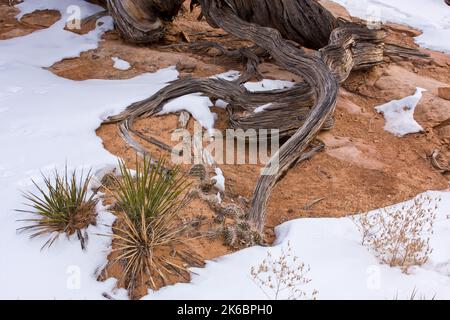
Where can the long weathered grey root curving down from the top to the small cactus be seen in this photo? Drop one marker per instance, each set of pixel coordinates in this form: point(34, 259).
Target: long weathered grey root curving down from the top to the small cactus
point(320, 73)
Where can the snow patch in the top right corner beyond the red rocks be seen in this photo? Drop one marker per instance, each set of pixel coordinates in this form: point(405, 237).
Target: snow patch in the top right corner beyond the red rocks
point(432, 17)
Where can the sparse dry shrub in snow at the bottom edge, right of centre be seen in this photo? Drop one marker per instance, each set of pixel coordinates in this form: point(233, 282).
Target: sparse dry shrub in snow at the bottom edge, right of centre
point(282, 276)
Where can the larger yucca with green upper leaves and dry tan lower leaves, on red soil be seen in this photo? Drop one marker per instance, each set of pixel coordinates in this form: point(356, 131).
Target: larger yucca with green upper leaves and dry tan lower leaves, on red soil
point(149, 200)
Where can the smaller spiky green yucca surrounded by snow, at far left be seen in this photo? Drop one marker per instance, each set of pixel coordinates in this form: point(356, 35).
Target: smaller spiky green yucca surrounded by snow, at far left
point(62, 206)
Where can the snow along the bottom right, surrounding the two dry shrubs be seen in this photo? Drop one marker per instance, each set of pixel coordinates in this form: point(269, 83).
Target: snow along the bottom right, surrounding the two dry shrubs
point(341, 268)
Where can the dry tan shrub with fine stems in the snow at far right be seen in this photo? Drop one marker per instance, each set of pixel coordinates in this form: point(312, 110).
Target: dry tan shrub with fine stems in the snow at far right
point(400, 237)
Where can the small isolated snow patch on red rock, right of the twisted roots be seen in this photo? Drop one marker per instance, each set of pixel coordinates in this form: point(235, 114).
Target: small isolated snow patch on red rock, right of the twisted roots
point(399, 114)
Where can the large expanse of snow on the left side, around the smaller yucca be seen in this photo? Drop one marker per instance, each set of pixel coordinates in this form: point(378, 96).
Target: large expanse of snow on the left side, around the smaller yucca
point(45, 122)
